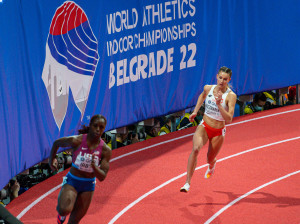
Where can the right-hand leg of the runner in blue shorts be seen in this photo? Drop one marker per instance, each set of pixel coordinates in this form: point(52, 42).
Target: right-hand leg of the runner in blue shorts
point(81, 206)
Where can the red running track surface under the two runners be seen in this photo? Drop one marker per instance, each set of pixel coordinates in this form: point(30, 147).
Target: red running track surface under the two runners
point(135, 175)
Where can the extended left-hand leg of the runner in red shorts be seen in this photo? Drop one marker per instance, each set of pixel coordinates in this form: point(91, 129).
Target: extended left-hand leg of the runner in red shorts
point(199, 140)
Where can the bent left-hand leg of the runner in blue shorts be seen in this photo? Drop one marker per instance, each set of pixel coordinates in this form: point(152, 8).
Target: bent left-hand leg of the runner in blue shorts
point(66, 200)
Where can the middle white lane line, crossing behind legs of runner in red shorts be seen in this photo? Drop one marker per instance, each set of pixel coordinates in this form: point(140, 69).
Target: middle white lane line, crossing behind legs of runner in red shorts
point(181, 175)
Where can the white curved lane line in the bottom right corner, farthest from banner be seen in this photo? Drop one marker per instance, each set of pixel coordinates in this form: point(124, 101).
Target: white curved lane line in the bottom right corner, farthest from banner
point(247, 194)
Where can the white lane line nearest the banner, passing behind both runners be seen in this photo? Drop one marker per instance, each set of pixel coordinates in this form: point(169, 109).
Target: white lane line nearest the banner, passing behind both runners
point(142, 149)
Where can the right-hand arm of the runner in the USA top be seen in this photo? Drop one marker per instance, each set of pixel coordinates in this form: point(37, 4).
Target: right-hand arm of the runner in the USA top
point(101, 172)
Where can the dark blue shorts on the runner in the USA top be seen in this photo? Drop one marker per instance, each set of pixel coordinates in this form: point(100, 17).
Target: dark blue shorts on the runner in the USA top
point(79, 183)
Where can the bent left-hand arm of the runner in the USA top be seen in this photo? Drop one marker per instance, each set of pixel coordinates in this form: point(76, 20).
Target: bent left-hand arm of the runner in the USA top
point(71, 141)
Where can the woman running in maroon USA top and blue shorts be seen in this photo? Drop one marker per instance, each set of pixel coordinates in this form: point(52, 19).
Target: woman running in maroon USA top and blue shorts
point(90, 160)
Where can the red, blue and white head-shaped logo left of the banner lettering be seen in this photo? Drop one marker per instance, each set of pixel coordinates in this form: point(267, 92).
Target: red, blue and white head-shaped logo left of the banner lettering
point(71, 60)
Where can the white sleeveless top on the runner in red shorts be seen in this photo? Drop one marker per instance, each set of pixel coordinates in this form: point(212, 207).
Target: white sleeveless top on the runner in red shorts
point(211, 108)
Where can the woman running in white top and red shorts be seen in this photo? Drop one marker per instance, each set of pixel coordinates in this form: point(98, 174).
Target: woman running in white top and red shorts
point(219, 109)
